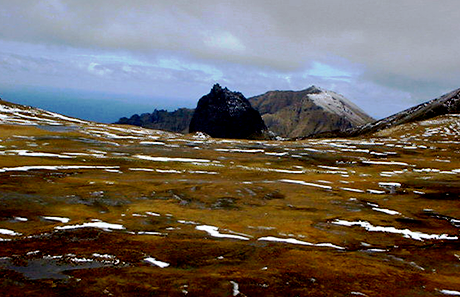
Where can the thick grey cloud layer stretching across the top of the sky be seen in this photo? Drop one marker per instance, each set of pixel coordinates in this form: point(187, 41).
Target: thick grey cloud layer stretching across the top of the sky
point(405, 35)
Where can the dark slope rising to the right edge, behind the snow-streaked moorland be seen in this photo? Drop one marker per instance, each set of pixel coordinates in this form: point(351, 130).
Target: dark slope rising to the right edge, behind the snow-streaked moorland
point(446, 104)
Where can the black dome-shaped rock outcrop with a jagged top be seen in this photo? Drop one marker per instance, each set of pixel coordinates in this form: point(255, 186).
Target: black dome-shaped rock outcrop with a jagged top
point(226, 114)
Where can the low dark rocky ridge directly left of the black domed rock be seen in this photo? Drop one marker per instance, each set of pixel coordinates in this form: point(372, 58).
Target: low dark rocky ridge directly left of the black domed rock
point(176, 121)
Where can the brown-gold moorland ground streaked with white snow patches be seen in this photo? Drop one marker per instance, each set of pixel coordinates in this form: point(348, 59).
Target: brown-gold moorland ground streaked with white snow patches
point(92, 209)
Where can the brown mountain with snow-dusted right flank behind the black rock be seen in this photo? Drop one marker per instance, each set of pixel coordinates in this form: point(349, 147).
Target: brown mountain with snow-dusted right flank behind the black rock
point(311, 111)
